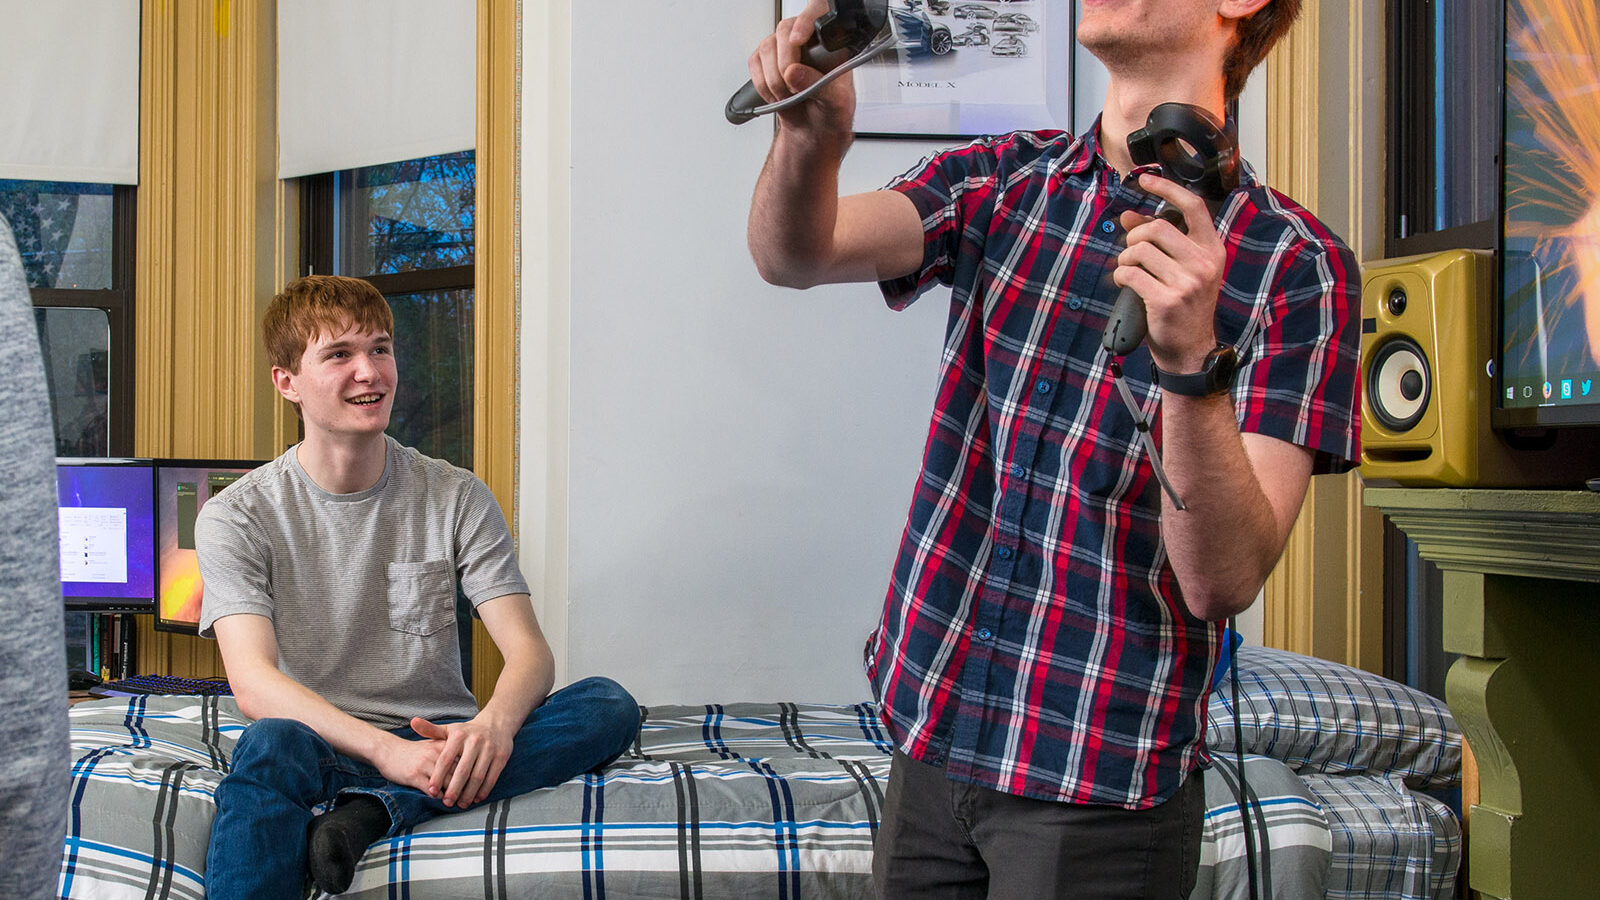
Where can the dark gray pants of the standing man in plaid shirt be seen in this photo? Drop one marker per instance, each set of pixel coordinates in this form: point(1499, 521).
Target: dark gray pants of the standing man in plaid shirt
point(950, 840)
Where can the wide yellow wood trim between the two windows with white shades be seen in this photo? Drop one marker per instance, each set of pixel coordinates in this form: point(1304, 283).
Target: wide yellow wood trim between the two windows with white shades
point(209, 251)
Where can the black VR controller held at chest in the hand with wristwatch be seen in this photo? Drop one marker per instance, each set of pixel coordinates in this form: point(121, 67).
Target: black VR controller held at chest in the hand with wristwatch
point(1196, 151)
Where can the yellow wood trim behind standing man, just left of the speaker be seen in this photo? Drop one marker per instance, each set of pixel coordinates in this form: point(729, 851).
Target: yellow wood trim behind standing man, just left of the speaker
point(1326, 139)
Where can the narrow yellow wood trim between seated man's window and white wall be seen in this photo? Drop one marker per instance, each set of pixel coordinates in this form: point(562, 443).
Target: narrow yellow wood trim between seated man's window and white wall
point(495, 286)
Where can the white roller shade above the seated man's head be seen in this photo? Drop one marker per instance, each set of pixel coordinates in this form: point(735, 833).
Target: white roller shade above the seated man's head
point(364, 82)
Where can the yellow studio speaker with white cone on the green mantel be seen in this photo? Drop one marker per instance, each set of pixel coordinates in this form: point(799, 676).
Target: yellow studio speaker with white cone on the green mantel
point(1428, 337)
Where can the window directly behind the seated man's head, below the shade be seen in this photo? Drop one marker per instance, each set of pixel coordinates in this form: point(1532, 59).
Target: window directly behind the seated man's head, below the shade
point(409, 230)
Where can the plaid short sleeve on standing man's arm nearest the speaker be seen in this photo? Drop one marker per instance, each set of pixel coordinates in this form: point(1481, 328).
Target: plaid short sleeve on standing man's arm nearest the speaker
point(1300, 377)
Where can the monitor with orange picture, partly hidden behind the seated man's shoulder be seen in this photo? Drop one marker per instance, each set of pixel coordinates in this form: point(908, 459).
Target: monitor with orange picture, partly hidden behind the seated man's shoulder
point(183, 488)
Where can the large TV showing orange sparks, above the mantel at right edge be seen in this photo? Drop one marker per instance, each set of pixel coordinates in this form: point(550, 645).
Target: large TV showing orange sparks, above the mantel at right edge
point(1550, 236)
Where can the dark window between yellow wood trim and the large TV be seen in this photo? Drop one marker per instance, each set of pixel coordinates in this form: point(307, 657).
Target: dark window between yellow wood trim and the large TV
point(1444, 124)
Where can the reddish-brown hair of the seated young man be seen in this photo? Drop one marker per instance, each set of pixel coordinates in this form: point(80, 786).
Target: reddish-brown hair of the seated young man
point(321, 305)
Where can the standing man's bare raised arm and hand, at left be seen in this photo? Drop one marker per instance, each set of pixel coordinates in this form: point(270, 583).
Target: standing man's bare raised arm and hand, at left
point(801, 231)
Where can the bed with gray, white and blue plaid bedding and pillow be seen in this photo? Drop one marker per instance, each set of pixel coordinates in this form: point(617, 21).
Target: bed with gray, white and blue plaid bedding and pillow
point(782, 800)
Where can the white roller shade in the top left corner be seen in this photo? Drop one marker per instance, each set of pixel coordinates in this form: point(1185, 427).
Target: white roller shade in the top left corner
point(70, 90)
